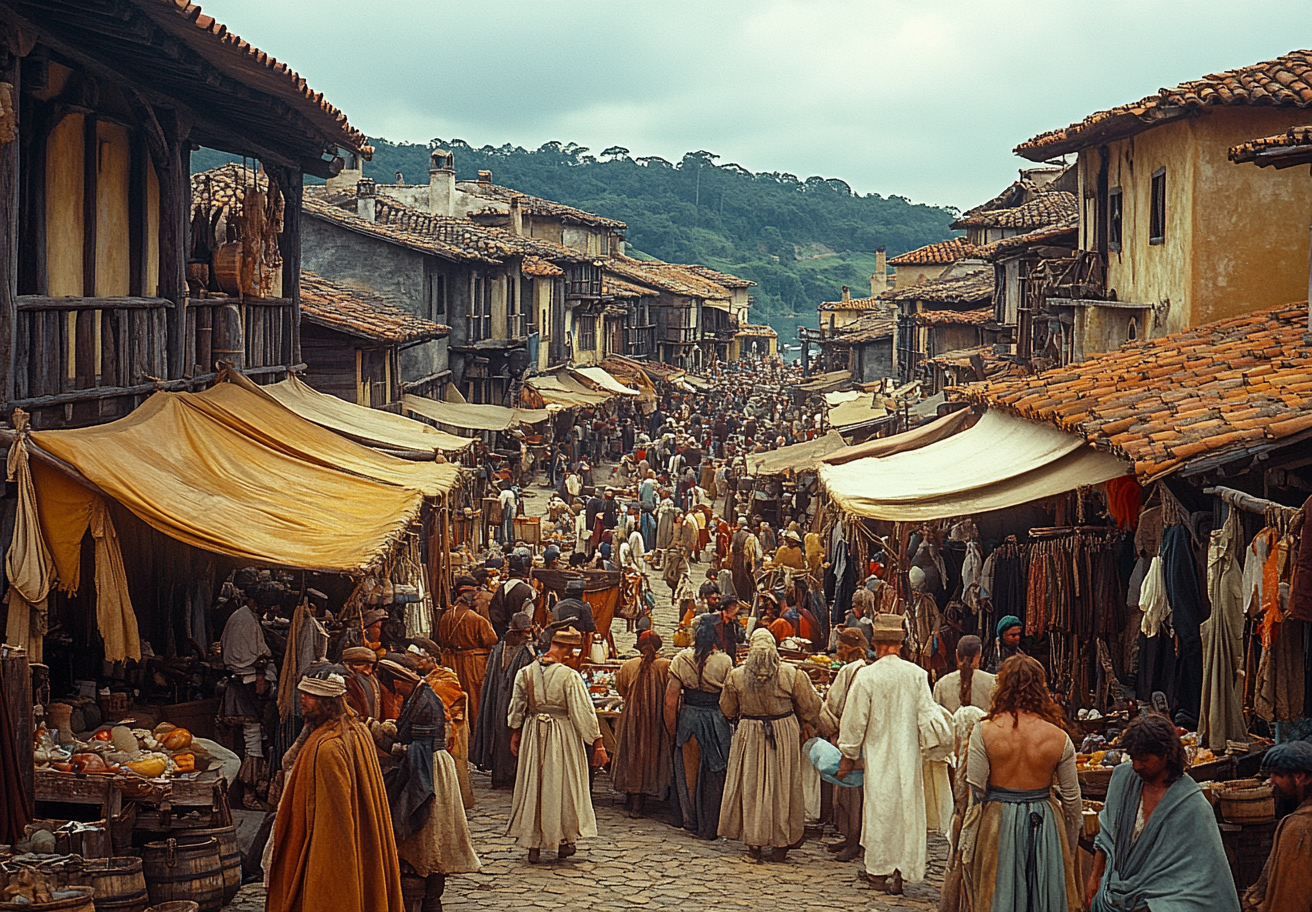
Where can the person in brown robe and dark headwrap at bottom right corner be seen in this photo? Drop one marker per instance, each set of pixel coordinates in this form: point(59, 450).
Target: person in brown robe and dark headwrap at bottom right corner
point(1286, 881)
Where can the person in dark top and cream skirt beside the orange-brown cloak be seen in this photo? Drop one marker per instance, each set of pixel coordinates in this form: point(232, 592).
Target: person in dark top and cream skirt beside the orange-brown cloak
point(424, 792)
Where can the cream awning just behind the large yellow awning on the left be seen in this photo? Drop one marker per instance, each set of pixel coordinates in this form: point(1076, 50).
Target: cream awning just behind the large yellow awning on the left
point(369, 426)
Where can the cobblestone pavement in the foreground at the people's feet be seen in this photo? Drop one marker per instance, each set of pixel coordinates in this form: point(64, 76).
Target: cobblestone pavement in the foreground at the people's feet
point(649, 865)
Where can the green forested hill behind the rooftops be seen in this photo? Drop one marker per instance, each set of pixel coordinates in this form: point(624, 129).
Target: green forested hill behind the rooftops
point(801, 241)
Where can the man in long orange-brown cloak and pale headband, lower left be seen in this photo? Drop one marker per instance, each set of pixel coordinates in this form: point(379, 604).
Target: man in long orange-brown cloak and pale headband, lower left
point(334, 810)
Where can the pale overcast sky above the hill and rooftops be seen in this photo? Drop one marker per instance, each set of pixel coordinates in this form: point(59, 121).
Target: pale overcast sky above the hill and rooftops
point(923, 99)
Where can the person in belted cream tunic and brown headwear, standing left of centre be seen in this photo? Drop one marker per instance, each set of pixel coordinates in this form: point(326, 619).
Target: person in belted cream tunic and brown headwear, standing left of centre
point(553, 732)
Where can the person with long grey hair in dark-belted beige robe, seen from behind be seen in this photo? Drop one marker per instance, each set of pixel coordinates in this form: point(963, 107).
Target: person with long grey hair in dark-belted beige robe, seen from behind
point(763, 804)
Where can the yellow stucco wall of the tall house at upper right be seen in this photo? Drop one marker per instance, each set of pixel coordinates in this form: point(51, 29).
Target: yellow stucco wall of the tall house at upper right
point(1237, 237)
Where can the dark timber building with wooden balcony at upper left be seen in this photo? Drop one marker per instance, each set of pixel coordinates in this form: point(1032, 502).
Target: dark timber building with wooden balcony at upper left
point(106, 100)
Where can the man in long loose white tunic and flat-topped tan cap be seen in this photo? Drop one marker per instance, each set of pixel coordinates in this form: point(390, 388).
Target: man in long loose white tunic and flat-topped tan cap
point(888, 708)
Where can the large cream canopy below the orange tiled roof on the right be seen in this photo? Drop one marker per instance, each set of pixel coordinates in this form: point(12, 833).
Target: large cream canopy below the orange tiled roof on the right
point(1000, 463)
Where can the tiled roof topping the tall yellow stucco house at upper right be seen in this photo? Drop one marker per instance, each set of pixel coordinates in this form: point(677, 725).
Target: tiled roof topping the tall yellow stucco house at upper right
point(1285, 82)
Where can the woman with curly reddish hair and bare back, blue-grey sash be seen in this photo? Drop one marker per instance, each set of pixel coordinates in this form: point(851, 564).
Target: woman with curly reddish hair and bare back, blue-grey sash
point(1025, 821)
